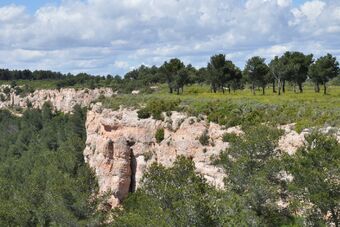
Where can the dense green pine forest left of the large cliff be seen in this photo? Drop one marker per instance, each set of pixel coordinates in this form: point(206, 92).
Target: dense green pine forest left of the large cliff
point(43, 178)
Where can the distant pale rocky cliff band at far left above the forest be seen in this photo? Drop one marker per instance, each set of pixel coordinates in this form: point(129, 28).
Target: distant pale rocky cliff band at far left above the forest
point(62, 100)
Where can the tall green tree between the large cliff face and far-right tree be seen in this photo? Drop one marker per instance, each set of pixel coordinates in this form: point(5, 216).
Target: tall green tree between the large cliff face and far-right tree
point(251, 166)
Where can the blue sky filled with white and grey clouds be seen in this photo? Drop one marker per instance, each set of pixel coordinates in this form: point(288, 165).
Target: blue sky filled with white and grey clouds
point(114, 36)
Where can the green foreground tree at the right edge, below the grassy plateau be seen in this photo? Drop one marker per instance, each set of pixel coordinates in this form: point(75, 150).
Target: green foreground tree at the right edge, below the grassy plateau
point(316, 171)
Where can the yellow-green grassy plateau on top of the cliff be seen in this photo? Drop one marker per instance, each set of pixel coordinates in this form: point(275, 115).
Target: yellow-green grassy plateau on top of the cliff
point(307, 109)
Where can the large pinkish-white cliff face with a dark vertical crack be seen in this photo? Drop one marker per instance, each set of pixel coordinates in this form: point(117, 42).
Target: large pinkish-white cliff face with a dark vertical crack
point(120, 147)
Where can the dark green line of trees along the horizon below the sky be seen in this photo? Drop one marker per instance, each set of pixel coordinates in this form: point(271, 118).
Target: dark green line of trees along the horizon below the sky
point(221, 74)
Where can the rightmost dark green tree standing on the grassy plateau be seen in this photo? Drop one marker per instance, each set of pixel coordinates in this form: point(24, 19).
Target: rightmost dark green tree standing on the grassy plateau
point(323, 70)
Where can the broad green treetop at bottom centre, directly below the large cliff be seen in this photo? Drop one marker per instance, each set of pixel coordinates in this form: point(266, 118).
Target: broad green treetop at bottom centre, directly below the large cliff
point(177, 196)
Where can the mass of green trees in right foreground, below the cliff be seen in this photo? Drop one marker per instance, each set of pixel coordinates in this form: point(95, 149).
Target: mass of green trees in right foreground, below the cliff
point(257, 180)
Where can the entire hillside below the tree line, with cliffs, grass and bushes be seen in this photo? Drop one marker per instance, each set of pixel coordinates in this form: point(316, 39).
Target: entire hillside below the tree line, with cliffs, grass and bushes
point(236, 150)
